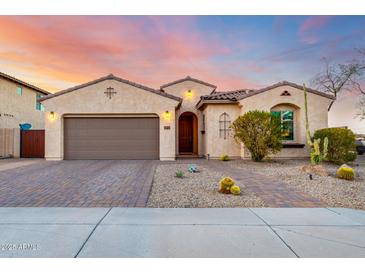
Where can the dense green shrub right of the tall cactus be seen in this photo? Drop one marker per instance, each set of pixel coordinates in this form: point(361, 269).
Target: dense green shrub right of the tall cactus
point(341, 144)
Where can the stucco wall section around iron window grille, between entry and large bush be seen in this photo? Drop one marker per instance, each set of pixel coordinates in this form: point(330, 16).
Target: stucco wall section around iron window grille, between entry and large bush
point(216, 145)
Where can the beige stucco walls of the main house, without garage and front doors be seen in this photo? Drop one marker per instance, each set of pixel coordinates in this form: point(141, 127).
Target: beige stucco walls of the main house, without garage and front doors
point(183, 96)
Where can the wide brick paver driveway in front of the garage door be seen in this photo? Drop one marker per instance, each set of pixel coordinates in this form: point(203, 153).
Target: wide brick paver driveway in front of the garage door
point(94, 183)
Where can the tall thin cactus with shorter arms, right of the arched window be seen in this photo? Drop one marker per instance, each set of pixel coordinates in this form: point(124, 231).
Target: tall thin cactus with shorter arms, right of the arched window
point(316, 155)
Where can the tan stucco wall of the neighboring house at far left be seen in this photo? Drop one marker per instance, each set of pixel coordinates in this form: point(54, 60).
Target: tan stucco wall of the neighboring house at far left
point(17, 109)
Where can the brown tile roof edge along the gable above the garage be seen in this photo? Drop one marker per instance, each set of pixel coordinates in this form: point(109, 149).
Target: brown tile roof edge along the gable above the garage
point(112, 77)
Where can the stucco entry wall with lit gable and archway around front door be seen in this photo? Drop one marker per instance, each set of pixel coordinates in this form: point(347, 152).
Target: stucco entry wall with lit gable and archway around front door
point(188, 105)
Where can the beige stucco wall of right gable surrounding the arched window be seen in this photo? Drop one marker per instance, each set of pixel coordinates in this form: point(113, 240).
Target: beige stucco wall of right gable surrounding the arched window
point(271, 100)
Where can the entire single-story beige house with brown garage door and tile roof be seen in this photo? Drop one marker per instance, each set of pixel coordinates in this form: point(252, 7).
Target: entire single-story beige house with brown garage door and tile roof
point(113, 118)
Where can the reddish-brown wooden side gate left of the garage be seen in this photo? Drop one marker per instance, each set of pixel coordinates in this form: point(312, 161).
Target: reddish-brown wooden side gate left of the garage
point(32, 143)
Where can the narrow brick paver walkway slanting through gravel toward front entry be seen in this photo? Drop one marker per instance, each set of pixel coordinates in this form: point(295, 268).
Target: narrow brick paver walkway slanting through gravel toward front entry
point(273, 192)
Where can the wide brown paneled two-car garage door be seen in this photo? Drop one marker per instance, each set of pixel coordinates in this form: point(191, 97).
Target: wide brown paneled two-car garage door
point(111, 138)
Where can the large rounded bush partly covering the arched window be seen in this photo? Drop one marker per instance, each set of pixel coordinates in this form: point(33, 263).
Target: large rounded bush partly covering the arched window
point(260, 132)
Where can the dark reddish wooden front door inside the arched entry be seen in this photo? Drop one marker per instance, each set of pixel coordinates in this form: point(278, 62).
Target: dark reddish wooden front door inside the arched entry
point(186, 134)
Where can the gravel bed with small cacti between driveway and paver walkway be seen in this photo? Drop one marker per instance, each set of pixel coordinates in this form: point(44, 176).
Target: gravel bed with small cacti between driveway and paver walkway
point(195, 189)
